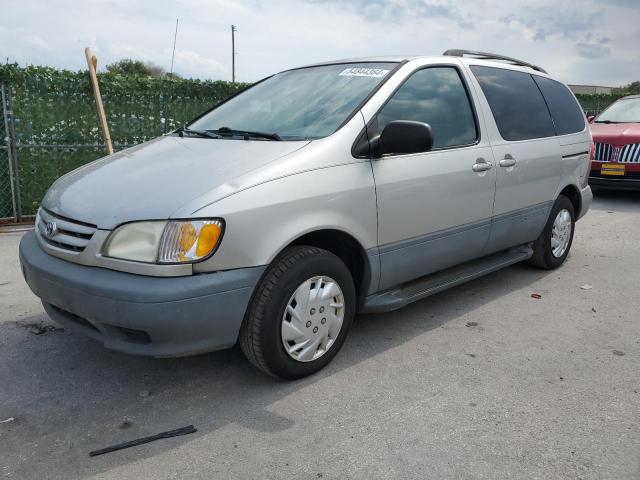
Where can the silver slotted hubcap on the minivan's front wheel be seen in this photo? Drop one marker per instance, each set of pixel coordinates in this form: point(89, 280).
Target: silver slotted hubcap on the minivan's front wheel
point(312, 319)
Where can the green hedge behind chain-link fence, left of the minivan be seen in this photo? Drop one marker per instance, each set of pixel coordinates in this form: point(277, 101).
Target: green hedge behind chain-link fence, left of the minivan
point(56, 107)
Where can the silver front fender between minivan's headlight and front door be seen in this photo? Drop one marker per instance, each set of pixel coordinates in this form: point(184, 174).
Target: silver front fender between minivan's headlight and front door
point(262, 220)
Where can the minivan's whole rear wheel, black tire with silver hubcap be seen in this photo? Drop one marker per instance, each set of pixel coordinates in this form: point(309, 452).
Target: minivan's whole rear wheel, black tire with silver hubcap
point(544, 255)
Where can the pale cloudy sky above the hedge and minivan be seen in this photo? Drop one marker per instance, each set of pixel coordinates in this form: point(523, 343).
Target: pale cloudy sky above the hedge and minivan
point(594, 42)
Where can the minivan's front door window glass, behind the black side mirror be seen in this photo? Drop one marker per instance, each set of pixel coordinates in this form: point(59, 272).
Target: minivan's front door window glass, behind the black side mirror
point(438, 97)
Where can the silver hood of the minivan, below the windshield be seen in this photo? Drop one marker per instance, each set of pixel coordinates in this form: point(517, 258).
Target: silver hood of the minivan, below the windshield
point(154, 179)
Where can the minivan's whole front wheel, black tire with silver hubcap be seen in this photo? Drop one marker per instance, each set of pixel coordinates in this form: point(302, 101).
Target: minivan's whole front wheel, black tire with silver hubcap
point(270, 322)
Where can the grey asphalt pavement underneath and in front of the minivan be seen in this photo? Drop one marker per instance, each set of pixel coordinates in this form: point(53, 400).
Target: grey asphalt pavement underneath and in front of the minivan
point(482, 381)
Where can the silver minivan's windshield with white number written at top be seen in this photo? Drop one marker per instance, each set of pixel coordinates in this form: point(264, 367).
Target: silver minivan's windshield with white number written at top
point(306, 103)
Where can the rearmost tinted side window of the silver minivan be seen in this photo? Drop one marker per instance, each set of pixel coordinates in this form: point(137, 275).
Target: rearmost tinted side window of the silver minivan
point(567, 115)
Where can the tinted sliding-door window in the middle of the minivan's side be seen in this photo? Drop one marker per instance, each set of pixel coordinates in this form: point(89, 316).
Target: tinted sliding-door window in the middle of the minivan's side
point(516, 102)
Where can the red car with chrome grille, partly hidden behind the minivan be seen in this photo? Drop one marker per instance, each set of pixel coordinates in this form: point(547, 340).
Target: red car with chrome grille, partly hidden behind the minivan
point(616, 150)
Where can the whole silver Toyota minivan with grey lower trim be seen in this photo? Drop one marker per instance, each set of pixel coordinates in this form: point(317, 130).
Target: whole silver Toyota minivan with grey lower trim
point(345, 187)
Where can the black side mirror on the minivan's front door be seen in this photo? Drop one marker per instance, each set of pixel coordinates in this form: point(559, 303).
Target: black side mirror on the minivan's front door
point(404, 136)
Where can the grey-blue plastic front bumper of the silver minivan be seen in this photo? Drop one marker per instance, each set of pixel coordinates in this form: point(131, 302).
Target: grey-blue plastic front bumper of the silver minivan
point(155, 316)
